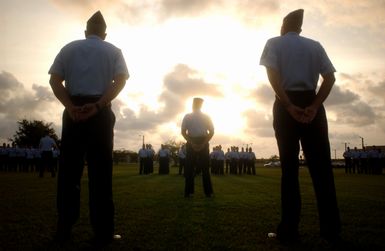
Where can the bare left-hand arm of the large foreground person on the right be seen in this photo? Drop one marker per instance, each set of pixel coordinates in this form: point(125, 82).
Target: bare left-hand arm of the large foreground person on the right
point(274, 79)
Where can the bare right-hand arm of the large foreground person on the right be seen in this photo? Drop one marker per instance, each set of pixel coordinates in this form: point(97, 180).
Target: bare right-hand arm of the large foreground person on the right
point(323, 93)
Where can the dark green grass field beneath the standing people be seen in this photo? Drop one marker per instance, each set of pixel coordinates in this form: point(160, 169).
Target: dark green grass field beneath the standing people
point(152, 214)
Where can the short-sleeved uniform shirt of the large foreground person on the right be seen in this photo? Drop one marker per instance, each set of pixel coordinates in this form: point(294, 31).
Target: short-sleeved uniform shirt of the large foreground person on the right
point(298, 60)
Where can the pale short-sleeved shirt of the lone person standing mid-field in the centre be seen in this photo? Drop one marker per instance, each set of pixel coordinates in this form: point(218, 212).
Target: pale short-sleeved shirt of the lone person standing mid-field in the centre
point(197, 124)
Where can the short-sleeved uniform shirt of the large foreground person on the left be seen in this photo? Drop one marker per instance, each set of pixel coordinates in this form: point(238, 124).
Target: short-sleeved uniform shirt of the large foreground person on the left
point(89, 66)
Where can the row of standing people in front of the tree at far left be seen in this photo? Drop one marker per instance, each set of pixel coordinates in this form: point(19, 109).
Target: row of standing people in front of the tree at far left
point(30, 159)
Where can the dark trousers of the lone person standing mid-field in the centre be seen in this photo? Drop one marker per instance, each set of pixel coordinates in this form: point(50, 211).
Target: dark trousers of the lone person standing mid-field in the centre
point(197, 159)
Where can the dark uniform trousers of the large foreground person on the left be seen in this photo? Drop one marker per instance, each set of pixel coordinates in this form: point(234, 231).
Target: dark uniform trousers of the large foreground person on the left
point(90, 141)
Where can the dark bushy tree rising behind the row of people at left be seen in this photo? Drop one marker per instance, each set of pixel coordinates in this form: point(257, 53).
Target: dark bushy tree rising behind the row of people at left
point(29, 133)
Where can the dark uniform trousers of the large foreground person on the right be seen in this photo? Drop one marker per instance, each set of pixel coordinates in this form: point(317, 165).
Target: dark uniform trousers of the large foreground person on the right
point(315, 144)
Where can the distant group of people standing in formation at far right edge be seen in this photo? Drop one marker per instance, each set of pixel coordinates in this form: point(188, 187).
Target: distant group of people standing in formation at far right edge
point(366, 161)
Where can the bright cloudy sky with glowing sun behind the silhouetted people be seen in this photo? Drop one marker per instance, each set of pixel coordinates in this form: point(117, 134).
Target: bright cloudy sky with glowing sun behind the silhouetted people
point(178, 49)
